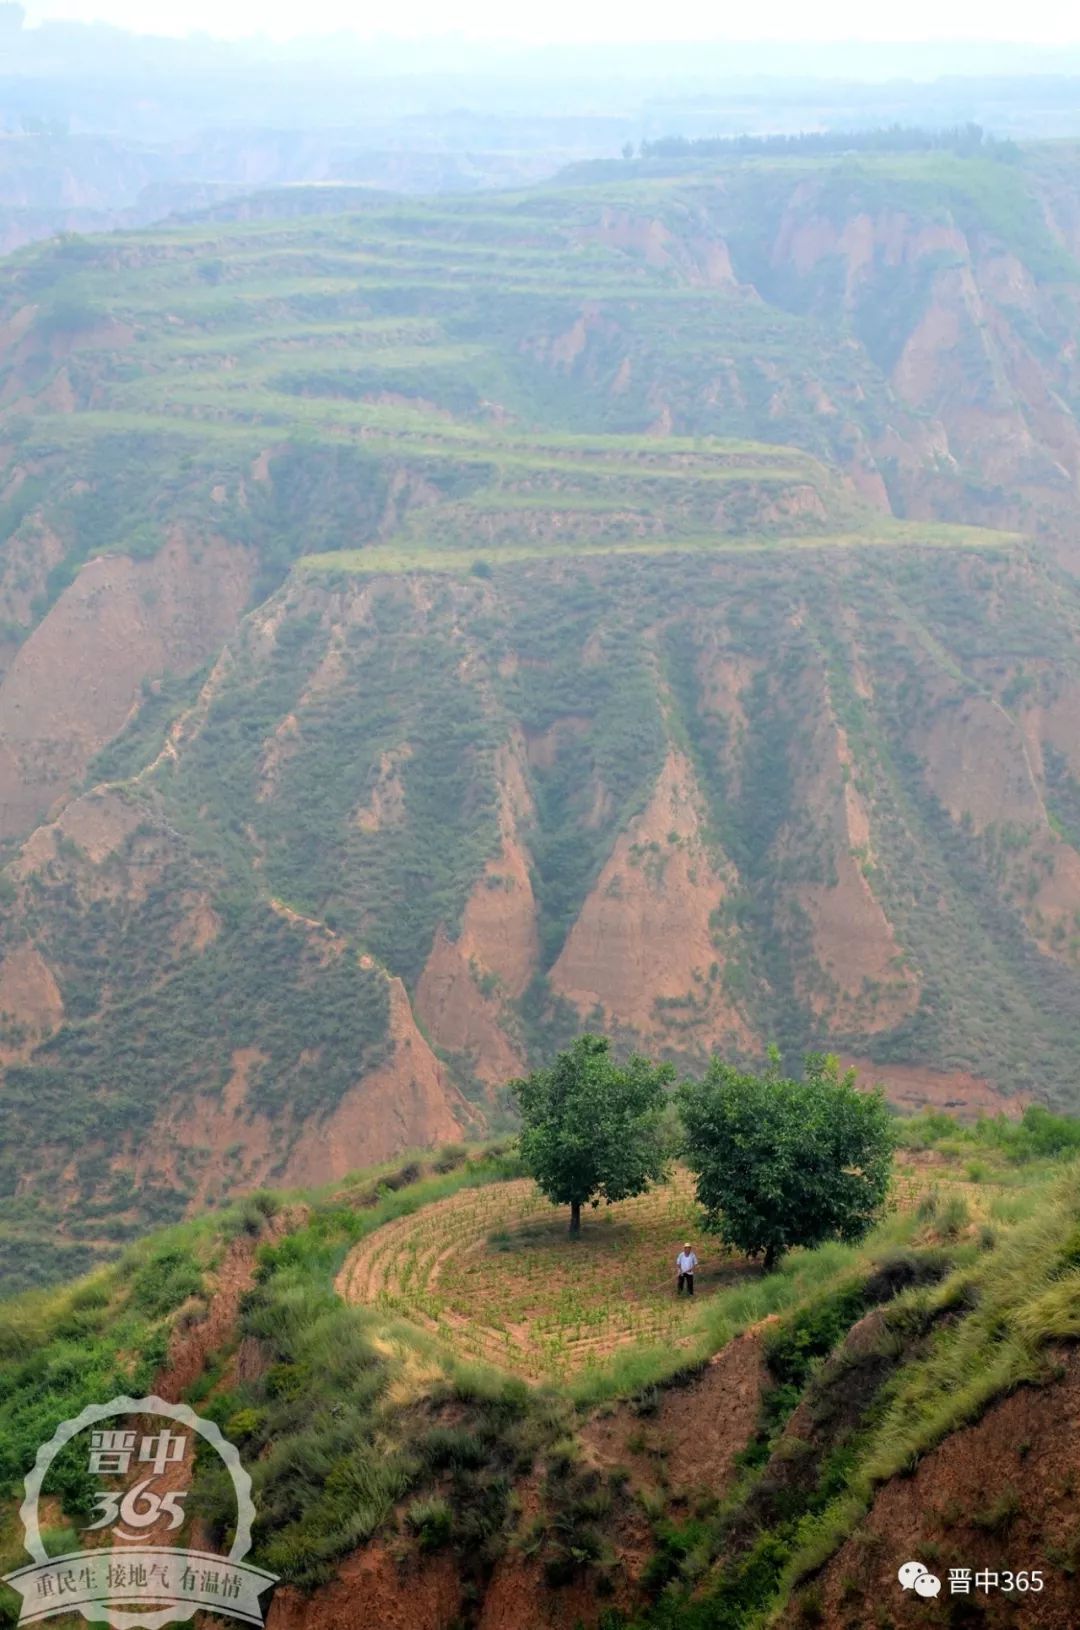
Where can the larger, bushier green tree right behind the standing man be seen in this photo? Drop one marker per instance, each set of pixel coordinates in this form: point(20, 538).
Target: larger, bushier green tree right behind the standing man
point(788, 1163)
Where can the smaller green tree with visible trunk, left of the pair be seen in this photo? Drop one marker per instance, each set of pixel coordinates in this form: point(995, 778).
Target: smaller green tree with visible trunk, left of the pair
point(594, 1129)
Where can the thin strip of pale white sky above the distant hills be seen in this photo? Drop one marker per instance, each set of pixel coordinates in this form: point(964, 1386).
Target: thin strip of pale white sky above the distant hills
point(577, 20)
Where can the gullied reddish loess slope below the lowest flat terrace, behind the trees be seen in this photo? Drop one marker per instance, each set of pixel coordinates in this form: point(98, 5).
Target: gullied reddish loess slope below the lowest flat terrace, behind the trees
point(418, 830)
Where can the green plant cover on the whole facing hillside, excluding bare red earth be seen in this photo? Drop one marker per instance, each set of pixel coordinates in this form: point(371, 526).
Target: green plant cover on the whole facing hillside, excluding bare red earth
point(516, 474)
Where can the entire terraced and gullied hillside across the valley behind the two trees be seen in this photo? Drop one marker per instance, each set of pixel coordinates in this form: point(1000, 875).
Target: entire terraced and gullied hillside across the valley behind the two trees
point(431, 628)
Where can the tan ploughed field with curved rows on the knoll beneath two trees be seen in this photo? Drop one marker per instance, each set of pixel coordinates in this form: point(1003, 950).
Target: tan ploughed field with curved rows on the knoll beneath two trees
point(493, 1272)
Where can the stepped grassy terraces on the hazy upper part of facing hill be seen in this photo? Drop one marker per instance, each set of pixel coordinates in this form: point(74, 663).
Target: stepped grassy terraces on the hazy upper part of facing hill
point(509, 368)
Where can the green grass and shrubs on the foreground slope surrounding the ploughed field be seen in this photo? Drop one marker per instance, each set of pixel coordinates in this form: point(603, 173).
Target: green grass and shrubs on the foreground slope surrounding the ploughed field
point(359, 1424)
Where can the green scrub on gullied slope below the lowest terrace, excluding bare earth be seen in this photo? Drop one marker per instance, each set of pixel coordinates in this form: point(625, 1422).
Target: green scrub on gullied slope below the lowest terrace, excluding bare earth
point(406, 694)
